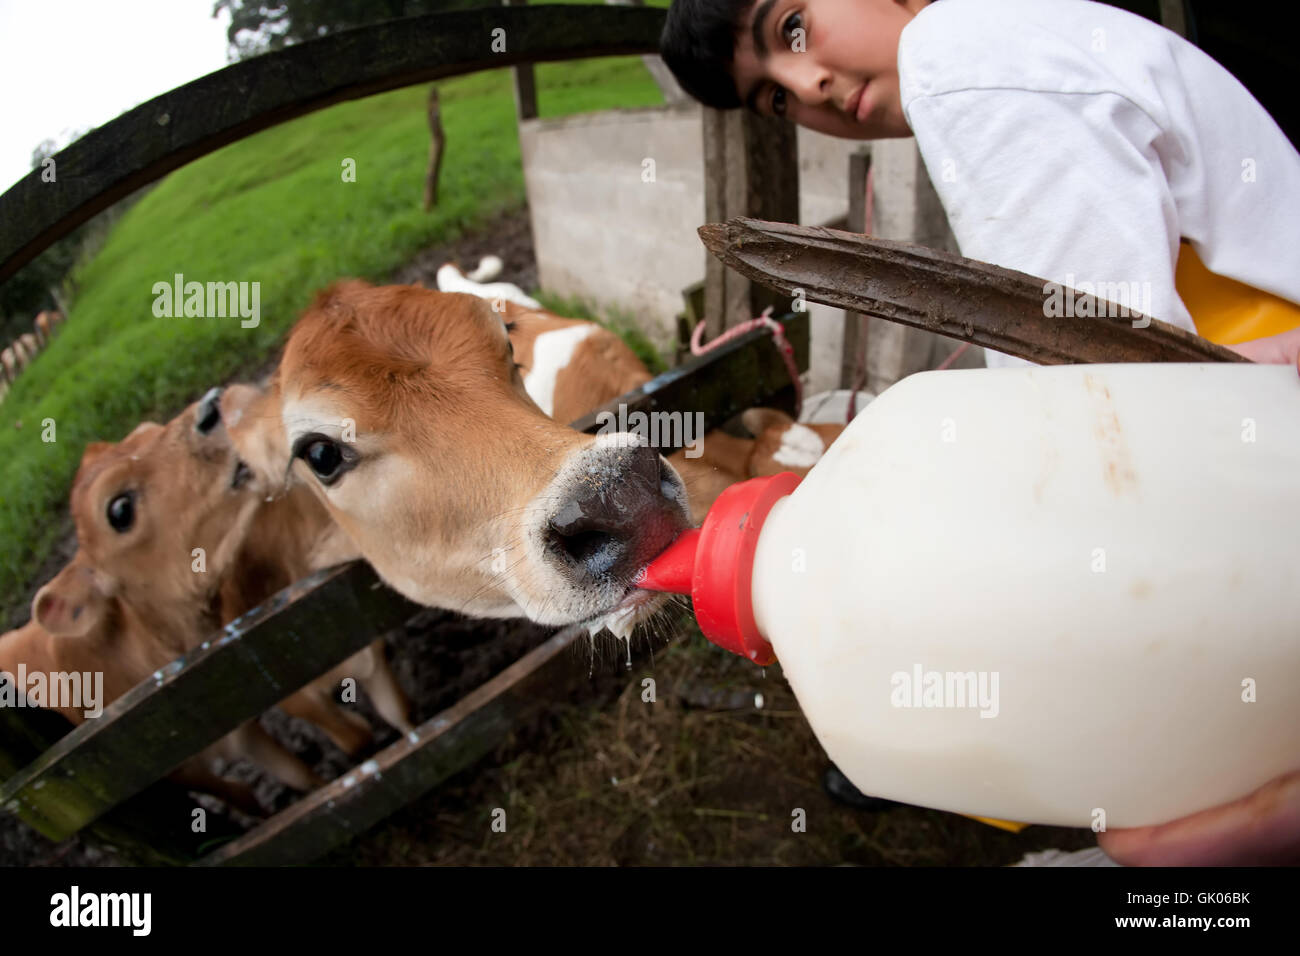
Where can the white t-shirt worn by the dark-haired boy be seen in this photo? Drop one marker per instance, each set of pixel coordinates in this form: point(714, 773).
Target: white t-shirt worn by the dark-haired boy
point(1080, 142)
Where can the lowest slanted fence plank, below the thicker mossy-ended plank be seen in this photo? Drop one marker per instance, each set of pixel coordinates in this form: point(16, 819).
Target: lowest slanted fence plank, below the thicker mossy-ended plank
point(457, 738)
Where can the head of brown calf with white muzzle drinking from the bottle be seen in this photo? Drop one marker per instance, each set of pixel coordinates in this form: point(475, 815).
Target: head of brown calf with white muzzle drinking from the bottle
point(404, 410)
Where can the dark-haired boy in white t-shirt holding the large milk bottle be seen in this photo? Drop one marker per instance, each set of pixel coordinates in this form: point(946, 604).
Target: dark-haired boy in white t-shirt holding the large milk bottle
point(1071, 141)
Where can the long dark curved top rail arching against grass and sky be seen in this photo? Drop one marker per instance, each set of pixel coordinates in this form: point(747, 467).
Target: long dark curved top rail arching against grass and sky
point(193, 120)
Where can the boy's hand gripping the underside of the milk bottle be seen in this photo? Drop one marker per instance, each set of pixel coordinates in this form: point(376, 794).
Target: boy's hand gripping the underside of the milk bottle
point(1262, 829)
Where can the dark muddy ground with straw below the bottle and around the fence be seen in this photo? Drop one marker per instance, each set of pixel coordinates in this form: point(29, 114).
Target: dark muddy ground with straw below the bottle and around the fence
point(713, 772)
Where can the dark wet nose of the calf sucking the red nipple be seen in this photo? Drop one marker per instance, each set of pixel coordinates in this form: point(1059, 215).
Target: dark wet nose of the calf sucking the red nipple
point(623, 513)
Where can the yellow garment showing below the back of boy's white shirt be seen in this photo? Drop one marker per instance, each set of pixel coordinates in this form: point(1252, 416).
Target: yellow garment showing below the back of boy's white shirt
point(1227, 312)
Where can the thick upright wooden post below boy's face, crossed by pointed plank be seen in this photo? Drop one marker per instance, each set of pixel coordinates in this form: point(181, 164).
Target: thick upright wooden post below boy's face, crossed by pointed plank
point(751, 170)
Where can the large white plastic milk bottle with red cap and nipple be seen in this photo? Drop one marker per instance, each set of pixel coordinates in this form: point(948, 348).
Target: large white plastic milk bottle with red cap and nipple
point(1065, 596)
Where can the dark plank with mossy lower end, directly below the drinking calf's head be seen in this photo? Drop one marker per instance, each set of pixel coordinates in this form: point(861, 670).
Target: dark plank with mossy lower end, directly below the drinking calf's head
point(244, 671)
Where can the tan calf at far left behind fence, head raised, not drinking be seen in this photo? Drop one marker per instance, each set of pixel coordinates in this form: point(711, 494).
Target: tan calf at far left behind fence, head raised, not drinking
point(132, 600)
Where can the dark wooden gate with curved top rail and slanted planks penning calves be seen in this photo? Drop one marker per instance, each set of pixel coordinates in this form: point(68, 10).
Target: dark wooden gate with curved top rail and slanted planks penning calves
point(106, 776)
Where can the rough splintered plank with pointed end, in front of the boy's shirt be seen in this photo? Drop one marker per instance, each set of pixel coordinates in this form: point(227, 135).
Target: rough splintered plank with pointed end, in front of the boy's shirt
point(950, 295)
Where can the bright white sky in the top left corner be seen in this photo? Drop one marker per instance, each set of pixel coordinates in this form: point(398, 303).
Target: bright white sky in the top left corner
point(76, 64)
